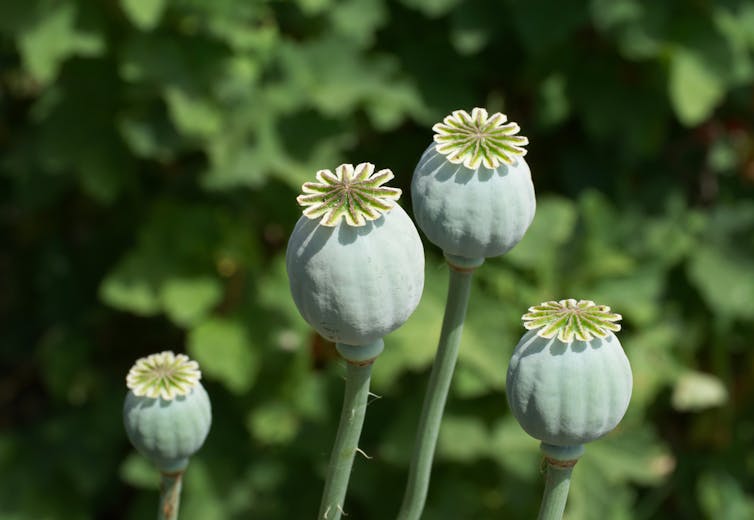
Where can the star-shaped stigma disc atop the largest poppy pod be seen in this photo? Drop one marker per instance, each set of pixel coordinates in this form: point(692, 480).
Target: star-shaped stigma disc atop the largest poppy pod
point(354, 193)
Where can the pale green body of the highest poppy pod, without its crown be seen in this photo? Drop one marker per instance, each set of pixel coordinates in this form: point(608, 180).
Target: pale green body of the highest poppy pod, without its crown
point(478, 213)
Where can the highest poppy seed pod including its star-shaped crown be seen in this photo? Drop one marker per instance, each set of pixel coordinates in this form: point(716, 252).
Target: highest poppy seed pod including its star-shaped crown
point(471, 191)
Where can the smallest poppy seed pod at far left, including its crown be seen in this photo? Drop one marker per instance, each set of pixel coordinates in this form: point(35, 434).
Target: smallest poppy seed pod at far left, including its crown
point(167, 413)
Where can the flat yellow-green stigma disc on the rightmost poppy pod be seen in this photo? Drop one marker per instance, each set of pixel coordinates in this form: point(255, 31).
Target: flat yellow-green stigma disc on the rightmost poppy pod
point(570, 319)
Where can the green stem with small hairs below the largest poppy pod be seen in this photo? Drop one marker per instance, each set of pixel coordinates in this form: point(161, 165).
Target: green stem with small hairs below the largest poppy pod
point(346, 440)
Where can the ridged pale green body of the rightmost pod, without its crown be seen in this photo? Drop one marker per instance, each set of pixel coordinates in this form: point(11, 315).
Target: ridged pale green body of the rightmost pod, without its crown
point(568, 394)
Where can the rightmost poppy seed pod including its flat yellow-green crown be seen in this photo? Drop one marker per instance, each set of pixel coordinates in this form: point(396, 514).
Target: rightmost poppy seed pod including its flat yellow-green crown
point(569, 381)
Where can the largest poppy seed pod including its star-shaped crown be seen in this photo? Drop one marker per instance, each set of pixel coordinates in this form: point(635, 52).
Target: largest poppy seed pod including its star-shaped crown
point(355, 260)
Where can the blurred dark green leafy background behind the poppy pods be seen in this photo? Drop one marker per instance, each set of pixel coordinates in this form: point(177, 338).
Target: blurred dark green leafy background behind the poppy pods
point(150, 155)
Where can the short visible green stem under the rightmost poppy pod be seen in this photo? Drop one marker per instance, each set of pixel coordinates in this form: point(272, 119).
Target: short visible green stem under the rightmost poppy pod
point(560, 461)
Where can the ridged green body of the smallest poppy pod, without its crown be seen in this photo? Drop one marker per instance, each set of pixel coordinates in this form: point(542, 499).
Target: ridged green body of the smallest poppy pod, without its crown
point(168, 432)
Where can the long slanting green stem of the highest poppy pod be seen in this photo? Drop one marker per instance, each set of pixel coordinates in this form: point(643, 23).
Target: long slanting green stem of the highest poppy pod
point(437, 391)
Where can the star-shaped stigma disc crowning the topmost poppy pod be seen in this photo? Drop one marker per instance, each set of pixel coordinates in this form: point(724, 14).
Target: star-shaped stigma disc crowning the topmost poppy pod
point(479, 139)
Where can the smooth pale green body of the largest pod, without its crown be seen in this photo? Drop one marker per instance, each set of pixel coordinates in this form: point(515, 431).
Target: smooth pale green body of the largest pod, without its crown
point(353, 284)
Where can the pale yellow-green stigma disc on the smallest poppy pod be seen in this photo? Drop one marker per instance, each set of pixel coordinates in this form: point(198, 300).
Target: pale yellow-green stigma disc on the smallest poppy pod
point(164, 375)
